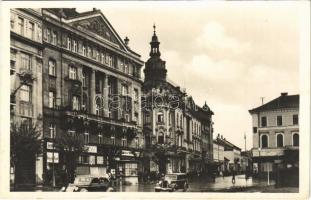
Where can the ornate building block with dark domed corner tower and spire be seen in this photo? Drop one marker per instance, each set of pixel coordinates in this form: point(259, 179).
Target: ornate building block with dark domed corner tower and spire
point(172, 121)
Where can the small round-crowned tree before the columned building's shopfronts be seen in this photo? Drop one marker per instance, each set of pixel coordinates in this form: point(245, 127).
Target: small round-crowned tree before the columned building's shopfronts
point(70, 146)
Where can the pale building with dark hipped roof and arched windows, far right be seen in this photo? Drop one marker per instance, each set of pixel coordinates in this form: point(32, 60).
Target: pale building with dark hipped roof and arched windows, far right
point(276, 134)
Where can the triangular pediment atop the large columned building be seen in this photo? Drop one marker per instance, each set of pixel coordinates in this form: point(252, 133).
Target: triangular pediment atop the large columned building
point(99, 26)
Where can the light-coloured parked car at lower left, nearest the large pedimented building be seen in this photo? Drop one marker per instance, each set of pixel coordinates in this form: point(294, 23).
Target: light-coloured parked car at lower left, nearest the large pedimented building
point(85, 183)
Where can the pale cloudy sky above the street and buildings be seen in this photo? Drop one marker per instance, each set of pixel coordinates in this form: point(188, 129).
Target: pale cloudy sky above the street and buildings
point(229, 54)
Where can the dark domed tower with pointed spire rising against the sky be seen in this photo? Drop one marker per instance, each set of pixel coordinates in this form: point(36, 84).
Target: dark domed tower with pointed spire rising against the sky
point(155, 71)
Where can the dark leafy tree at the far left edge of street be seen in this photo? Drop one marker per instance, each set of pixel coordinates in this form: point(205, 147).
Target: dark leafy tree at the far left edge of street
point(25, 143)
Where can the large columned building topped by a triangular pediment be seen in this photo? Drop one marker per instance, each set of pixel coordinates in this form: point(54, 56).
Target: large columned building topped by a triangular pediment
point(91, 88)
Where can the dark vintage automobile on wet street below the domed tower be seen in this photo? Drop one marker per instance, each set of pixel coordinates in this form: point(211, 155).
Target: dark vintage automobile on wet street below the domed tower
point(172, 182)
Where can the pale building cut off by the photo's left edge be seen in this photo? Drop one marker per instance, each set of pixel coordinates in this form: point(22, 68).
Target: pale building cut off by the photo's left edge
point(26, 81)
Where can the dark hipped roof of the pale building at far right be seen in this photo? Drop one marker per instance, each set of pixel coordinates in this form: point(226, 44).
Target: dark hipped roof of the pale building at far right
point(283, 101)
